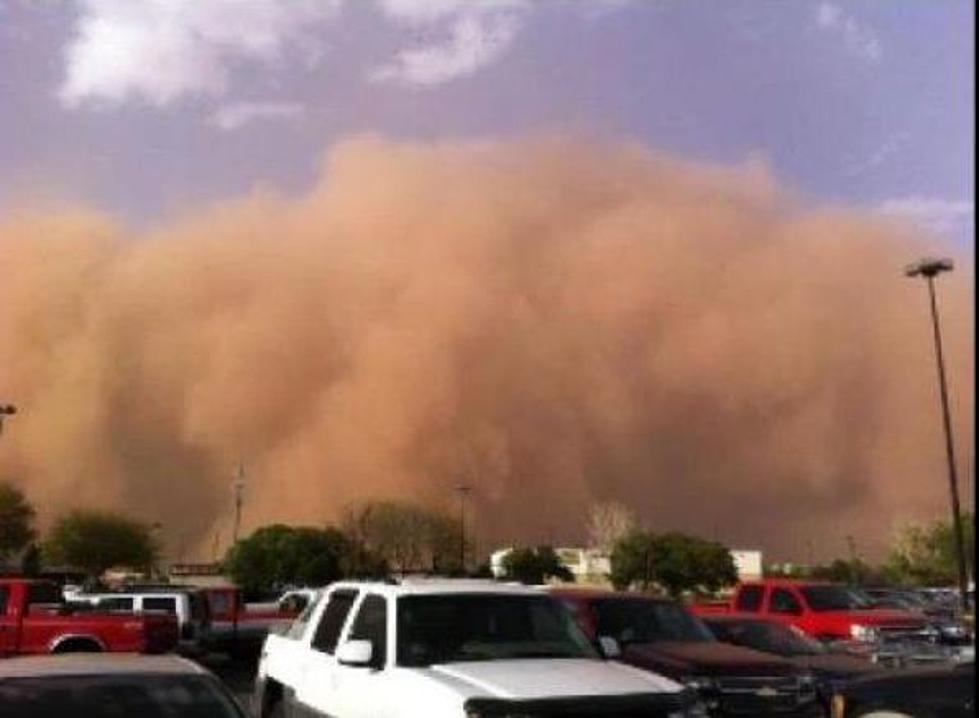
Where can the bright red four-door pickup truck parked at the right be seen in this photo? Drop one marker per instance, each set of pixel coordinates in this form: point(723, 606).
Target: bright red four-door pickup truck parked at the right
point(827, 611)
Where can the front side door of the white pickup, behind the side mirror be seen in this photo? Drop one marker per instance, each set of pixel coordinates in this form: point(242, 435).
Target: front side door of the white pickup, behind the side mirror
point(360, 689)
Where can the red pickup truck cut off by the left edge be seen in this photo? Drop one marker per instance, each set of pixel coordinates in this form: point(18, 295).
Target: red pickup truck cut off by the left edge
point(34, 619)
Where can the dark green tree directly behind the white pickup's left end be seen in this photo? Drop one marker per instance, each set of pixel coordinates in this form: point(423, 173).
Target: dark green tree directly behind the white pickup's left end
point(276, 556)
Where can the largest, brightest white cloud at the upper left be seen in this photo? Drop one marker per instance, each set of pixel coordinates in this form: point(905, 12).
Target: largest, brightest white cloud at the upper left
point(161, 50)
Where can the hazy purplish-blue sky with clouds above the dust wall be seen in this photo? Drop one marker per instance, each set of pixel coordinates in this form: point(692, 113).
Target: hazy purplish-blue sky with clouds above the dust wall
point(145, 108)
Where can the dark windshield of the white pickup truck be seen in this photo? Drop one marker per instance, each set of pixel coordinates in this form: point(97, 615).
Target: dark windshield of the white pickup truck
point(478, 627)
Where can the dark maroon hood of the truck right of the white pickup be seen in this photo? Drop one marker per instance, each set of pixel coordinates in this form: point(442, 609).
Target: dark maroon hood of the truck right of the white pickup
point(704, 658)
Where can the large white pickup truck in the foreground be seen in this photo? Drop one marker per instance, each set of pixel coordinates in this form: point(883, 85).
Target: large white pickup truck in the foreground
point(449, 648)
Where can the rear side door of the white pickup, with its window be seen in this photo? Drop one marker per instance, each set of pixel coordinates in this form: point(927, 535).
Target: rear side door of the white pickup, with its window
point(315, 687)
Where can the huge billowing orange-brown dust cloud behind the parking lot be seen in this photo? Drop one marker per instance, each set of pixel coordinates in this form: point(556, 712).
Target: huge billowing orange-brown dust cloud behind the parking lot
point(551, 322)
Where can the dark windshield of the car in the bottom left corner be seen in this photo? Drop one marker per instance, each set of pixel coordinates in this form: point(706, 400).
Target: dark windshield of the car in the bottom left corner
point(115, 697)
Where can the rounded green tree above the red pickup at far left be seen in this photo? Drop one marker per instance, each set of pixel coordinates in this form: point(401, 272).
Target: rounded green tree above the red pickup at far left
point(94, 541)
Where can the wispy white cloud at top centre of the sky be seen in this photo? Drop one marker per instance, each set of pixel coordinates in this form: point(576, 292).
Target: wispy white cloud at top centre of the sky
point(475, 34)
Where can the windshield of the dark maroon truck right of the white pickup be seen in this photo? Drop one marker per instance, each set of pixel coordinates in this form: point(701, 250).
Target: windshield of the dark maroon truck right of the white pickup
point(637, 620)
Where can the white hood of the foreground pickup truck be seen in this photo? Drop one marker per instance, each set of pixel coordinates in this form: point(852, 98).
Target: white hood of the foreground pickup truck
point(547, 678)
